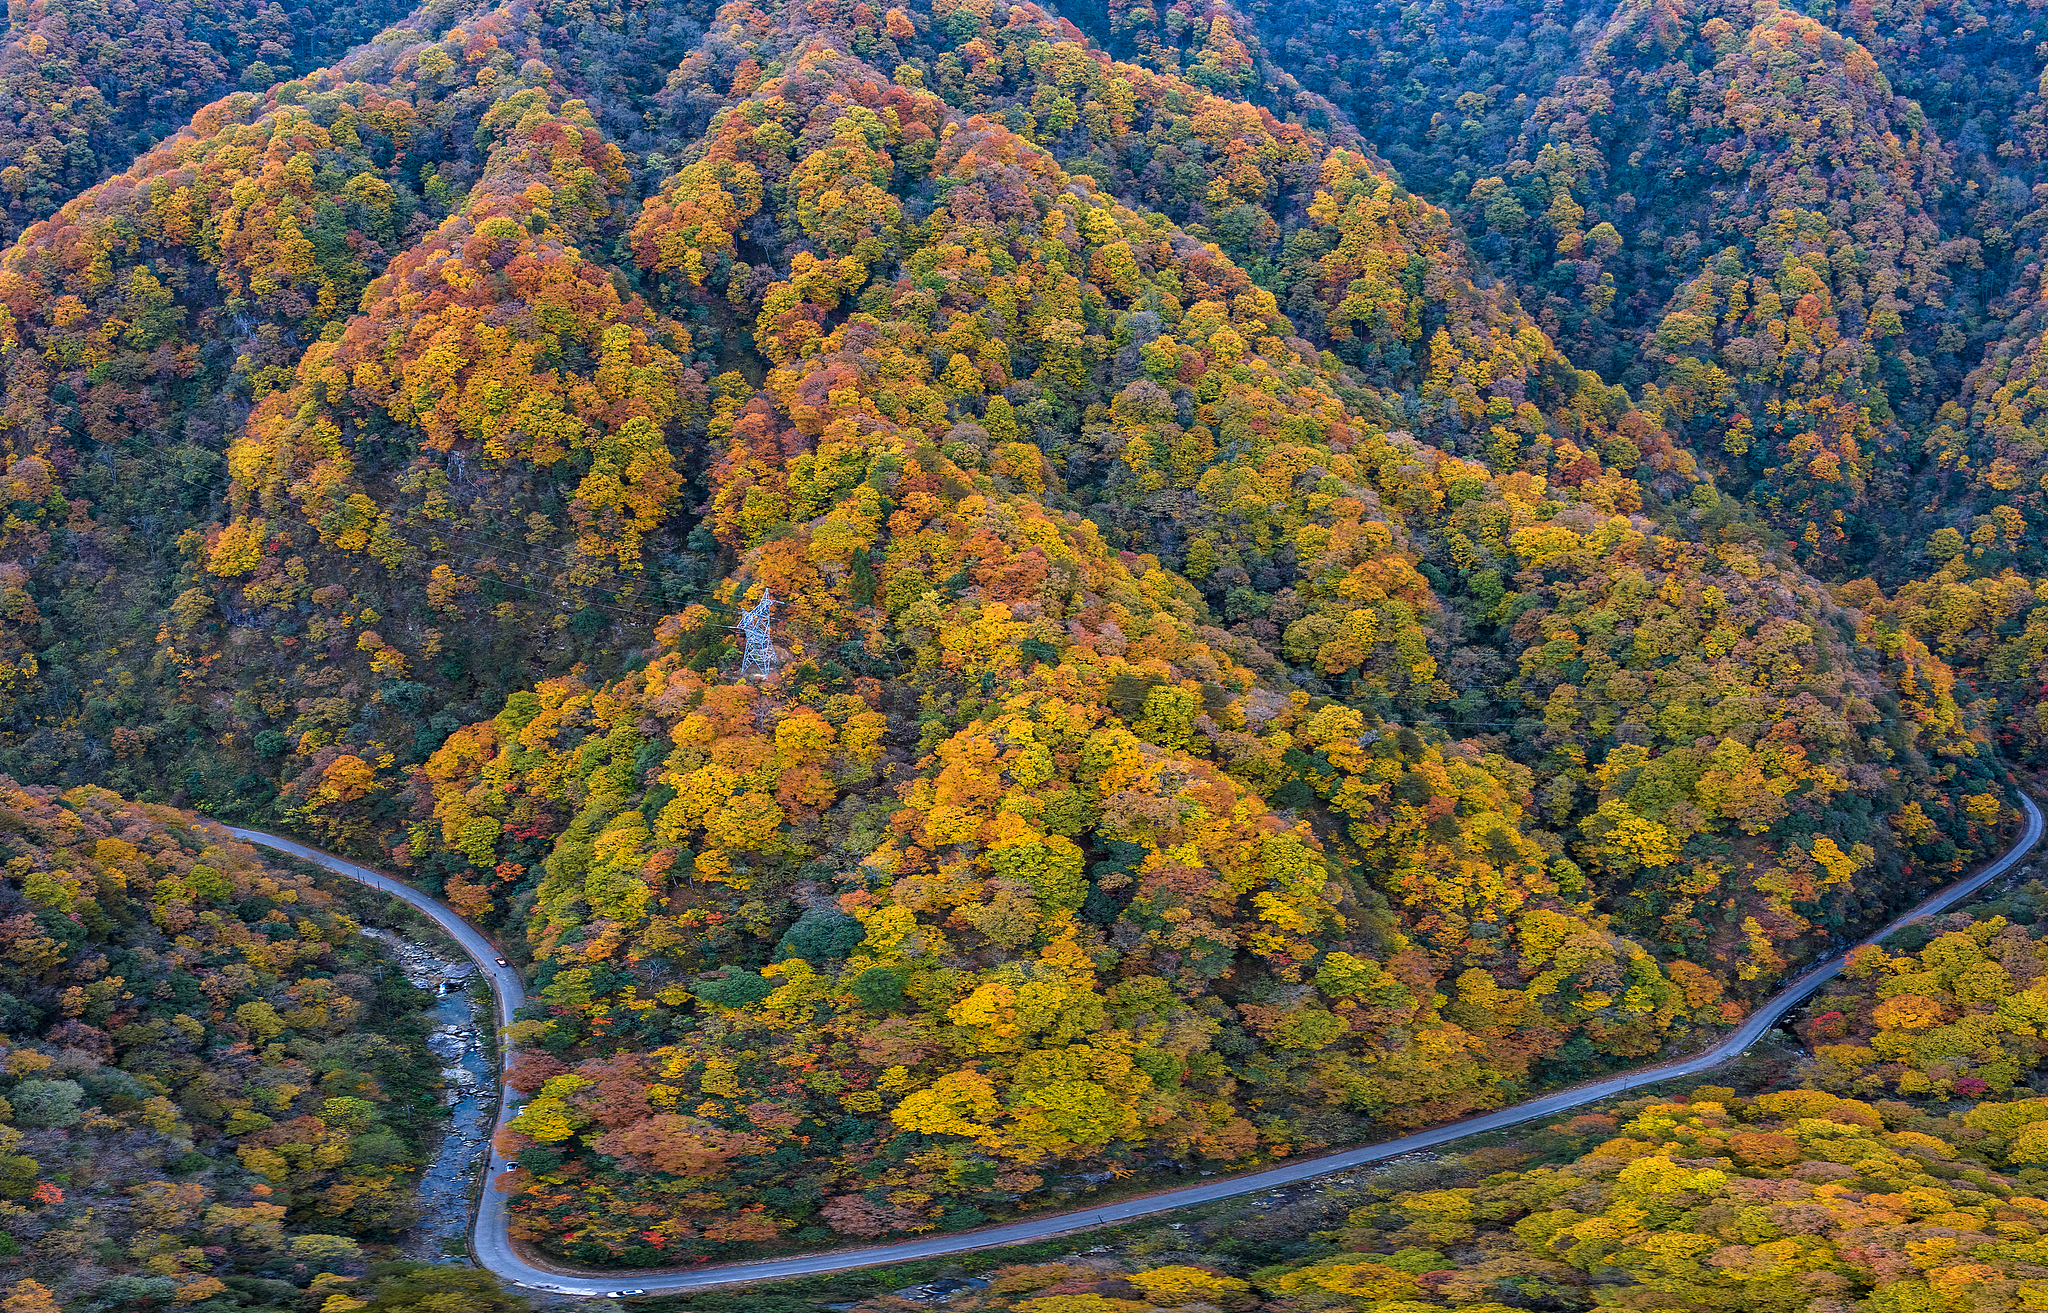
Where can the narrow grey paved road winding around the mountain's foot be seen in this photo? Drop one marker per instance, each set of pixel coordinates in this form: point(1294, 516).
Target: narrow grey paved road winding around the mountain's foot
point(495, 1246)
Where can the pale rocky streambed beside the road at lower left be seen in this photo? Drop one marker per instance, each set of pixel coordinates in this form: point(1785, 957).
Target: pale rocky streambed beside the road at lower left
point(456, 1042)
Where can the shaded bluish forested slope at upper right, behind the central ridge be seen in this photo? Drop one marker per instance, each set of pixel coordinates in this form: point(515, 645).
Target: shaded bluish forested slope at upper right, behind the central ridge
point(1658, 177)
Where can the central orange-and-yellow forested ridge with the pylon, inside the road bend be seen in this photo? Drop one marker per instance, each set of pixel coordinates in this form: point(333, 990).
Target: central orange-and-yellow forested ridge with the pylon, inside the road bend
point(1060, 851)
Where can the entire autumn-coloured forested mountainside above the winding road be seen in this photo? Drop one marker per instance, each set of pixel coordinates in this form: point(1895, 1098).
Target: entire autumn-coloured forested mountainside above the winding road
point(1332, 568)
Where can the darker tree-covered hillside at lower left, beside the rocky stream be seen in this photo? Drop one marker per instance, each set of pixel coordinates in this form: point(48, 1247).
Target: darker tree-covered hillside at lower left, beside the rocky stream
point(210, 1074)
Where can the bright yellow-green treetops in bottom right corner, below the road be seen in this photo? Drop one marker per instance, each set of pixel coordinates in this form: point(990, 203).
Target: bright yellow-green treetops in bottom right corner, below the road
point(1715, 1201)
